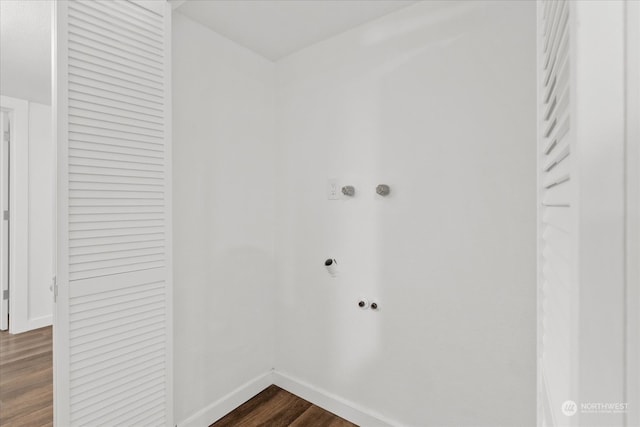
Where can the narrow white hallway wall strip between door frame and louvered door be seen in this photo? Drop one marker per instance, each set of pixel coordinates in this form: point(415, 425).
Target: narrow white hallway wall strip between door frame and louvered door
point(41, 211)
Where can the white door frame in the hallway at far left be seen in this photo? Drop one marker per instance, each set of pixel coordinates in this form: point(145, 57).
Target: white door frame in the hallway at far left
point(18, 110)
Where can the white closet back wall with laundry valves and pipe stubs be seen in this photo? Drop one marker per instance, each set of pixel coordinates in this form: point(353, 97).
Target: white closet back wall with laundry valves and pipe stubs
point(437, 101)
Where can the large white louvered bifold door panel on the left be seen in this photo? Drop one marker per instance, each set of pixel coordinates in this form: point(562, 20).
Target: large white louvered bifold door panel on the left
point(113, 310)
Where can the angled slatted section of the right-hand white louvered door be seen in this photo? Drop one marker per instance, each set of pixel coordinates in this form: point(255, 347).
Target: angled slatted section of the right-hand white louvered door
point(556, 202)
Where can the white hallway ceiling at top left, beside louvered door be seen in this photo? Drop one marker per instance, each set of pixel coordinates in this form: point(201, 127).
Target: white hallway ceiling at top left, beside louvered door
point(25, 49)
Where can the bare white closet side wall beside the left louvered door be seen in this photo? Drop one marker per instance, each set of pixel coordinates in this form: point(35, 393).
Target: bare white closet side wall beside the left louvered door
point(224, 198)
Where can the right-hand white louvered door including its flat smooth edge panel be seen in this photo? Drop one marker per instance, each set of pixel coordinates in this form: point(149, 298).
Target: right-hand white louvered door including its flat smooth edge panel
point(581, 194)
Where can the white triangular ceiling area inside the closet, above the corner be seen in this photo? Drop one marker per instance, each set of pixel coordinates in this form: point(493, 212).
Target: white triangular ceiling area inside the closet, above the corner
point(277, 28)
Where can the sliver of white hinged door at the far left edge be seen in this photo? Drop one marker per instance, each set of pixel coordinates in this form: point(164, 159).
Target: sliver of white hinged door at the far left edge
point(4, 226)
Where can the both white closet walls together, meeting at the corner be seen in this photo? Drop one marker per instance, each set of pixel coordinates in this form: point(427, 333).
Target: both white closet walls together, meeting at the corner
point(438, 101)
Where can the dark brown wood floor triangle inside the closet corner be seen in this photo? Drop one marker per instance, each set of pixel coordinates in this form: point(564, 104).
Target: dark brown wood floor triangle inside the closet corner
point(275, 407)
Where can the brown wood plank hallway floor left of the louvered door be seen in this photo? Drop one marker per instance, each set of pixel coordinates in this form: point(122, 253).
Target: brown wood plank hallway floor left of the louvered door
point(26, 379)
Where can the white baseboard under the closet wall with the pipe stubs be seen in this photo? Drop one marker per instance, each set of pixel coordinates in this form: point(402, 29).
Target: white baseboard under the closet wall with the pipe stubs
point(332, 403)
